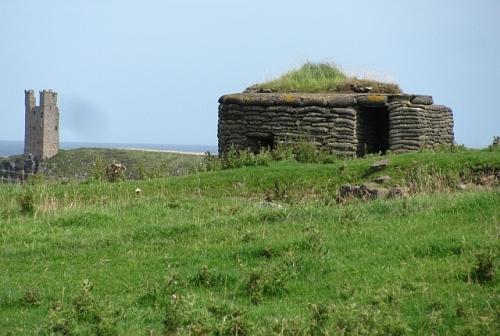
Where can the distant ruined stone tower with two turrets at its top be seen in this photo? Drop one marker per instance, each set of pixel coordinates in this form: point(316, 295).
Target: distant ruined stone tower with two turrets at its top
point(41, 137)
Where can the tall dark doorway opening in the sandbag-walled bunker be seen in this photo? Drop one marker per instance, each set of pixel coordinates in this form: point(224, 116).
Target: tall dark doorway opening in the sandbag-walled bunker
point(372, 130)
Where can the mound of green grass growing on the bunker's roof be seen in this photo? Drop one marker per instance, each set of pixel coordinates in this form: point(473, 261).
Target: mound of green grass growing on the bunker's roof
point(321, 78)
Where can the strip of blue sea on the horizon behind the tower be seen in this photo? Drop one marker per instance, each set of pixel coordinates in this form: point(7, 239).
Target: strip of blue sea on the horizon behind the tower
point(8, 148)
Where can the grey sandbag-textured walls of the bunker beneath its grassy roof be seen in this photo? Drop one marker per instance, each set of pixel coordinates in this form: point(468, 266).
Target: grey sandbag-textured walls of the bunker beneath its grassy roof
point(330, 121)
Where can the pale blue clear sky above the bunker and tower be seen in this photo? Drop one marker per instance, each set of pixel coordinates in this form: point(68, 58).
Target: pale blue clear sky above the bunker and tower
point(151, 71)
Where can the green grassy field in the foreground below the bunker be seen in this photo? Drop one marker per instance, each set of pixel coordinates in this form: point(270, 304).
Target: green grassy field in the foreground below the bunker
point(256, 251)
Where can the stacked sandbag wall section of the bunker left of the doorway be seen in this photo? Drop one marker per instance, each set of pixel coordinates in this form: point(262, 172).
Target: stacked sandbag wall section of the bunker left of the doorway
point(327, 127)
